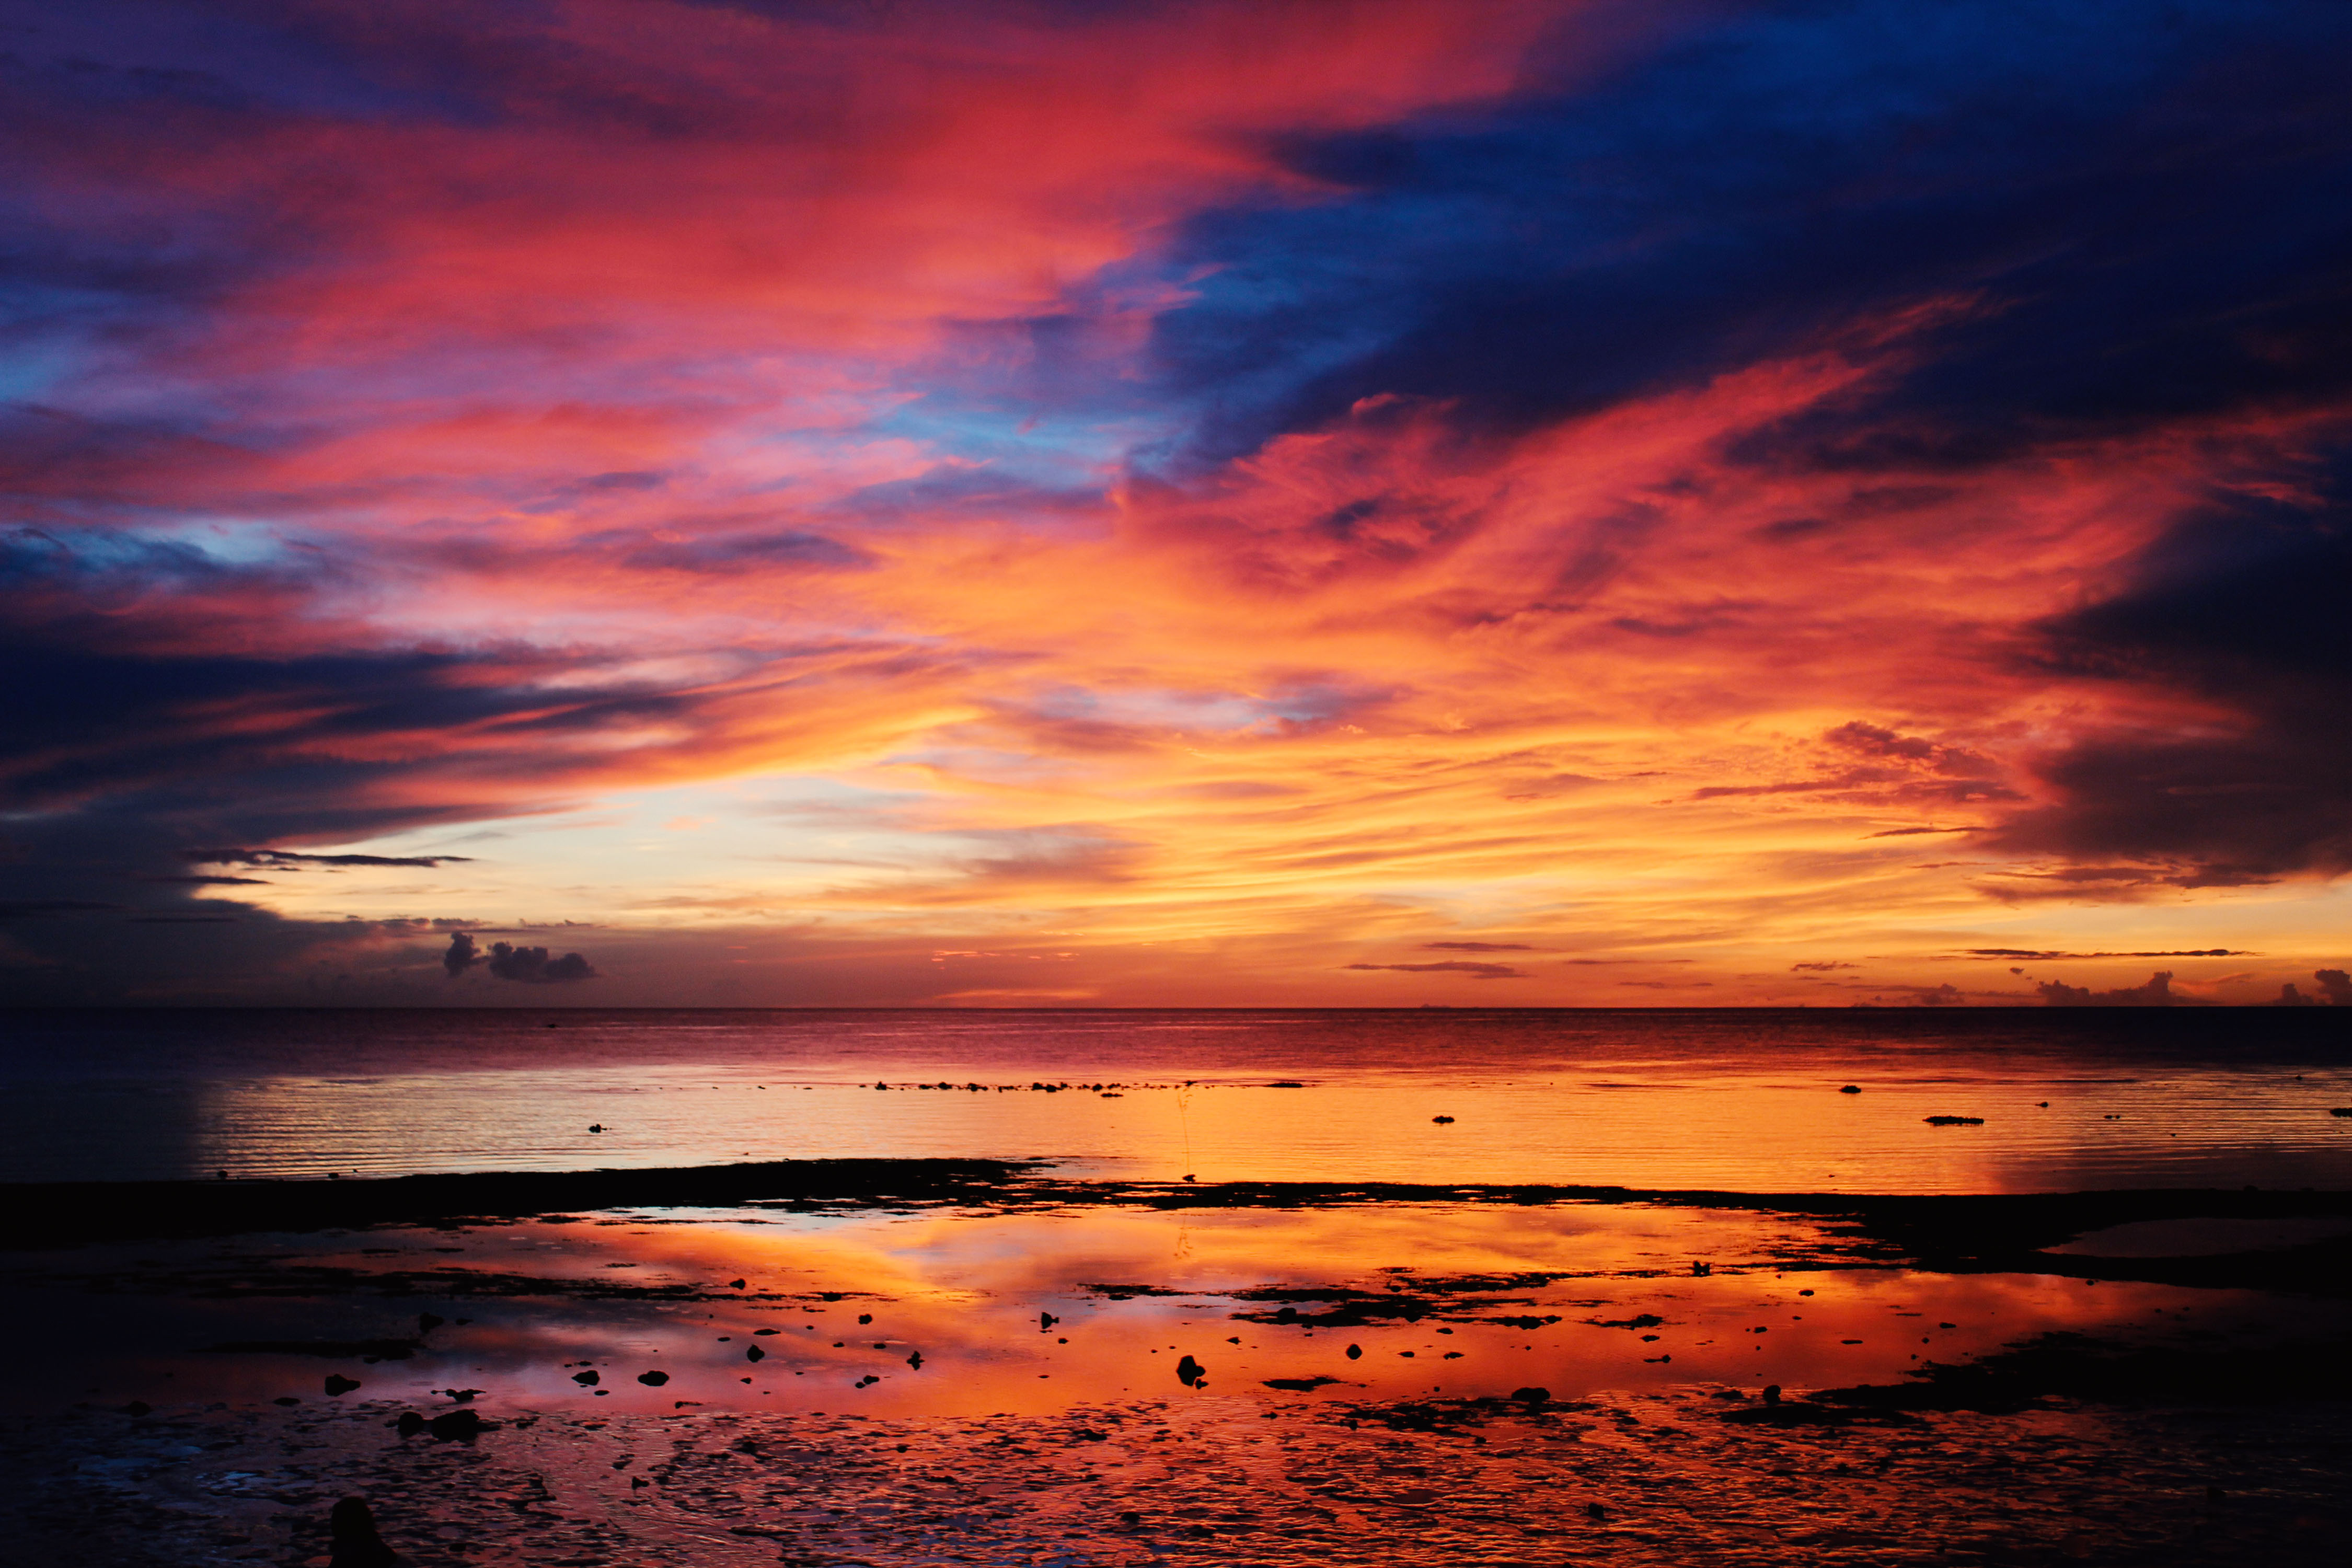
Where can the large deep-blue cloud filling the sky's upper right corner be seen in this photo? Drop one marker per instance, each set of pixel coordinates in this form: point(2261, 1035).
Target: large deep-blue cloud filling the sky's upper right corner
point(2153, 203)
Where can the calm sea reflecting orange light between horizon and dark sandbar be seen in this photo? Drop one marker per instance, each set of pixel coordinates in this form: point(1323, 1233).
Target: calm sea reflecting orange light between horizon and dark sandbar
point(1655, 1099)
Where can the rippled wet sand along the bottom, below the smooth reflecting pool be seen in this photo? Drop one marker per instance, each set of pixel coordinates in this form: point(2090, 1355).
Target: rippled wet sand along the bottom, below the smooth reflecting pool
point(1624, 1480)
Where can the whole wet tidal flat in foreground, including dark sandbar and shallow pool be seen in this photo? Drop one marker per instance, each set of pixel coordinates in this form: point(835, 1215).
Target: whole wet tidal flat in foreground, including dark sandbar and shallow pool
point(1953, 1391)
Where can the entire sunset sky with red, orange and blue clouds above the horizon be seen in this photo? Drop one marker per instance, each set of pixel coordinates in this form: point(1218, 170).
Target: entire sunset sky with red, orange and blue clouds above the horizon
point(1177, 504)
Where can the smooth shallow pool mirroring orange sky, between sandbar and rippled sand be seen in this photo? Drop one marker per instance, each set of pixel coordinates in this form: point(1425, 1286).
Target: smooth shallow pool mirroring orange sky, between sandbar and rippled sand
point(1031, 1313)
